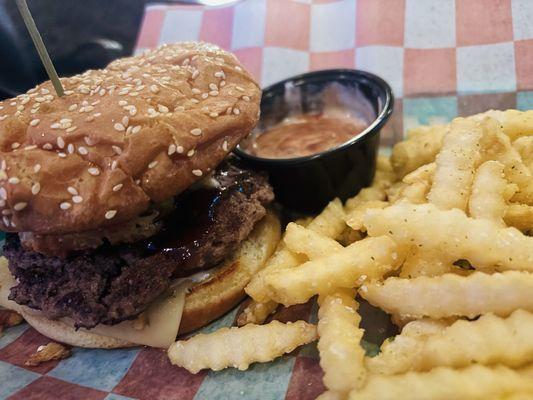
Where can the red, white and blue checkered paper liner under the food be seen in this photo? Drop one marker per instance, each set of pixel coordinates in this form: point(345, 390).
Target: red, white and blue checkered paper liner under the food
point(442, 58)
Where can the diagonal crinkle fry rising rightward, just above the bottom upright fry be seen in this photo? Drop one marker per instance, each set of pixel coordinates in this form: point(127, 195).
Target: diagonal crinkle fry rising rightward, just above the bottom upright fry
point(370, 258)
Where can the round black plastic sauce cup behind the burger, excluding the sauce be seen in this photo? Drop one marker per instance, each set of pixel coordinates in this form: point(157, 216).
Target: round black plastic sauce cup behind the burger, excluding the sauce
point(307, 184)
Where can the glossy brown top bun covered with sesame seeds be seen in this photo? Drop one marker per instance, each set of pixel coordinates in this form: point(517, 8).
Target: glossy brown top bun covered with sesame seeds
point(143, 129)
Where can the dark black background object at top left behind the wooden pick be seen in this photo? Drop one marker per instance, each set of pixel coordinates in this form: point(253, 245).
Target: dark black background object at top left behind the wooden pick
point(79, 35)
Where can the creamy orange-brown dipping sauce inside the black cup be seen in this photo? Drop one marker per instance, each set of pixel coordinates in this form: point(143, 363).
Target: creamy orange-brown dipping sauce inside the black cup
point(304, 135)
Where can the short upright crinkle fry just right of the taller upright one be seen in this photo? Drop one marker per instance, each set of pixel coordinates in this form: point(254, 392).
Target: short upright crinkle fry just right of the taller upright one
point(490, 193)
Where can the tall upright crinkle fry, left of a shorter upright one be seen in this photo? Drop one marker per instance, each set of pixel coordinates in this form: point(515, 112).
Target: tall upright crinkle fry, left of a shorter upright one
point(456, 163)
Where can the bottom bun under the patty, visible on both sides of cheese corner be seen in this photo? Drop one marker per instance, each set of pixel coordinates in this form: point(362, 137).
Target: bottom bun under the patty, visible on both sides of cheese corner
point(207, 299)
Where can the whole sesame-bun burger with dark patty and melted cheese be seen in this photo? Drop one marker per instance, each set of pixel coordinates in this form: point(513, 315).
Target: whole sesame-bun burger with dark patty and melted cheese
point(126, 221)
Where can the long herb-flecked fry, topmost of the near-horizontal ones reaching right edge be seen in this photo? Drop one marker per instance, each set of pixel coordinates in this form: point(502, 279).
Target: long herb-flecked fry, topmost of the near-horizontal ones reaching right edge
point(454, 235)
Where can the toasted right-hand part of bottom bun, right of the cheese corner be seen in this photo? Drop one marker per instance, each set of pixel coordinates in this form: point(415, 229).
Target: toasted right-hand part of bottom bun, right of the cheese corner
point(211, 298)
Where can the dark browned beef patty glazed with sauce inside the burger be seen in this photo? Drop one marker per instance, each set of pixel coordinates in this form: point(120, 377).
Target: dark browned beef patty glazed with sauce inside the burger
point(114, 283)
